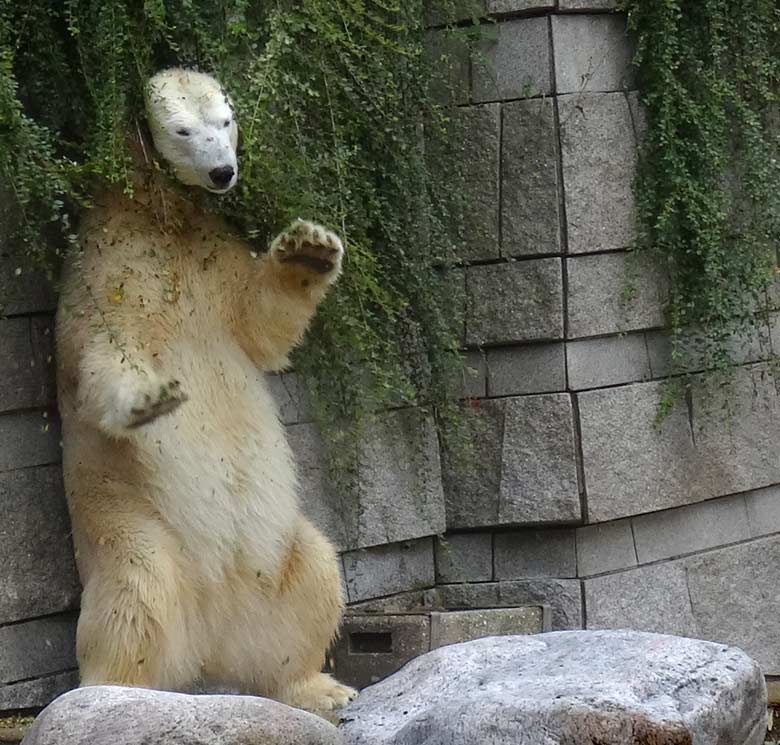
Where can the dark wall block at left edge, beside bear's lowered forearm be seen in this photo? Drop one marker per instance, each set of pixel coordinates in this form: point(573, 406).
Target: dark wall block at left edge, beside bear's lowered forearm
point(25, 367)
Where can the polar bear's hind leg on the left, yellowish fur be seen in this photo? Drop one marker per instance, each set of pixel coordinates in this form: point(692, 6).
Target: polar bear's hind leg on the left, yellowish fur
point(132, 629)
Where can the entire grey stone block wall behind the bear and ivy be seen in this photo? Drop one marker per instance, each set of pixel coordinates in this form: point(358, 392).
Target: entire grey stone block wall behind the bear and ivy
point(577, 500)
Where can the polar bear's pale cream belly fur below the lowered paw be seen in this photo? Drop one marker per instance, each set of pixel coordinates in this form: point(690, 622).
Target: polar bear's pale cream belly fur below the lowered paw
point(223, 477)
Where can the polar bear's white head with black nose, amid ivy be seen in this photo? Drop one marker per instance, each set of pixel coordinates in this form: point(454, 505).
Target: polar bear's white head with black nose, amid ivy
point(193, 128)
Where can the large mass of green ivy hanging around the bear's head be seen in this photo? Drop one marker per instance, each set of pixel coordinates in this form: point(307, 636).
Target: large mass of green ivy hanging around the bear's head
point(336, 116)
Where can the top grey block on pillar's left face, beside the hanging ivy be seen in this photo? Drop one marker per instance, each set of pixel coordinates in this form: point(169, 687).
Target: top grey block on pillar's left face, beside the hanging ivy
point(513, 61)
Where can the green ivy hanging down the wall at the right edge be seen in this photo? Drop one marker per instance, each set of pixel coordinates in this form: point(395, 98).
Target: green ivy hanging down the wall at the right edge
point(708, 189)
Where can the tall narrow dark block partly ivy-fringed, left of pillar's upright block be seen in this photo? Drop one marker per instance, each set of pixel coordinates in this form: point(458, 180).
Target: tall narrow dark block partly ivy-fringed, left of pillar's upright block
point(475, 138)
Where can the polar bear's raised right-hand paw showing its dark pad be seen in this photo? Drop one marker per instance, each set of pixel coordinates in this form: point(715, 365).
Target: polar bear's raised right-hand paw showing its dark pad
point(309, 254)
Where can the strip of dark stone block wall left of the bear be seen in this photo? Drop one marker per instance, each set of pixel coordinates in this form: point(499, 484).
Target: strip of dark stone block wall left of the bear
point(39, 587)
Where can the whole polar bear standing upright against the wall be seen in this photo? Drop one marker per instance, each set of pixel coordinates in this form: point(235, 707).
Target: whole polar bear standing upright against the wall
point(196, 562)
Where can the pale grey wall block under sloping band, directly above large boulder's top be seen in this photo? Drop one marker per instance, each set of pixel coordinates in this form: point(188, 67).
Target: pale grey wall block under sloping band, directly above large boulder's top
point(651, 598)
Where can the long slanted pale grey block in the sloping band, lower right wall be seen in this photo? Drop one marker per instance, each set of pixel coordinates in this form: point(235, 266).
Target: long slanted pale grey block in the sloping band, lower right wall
point(685, 530)
